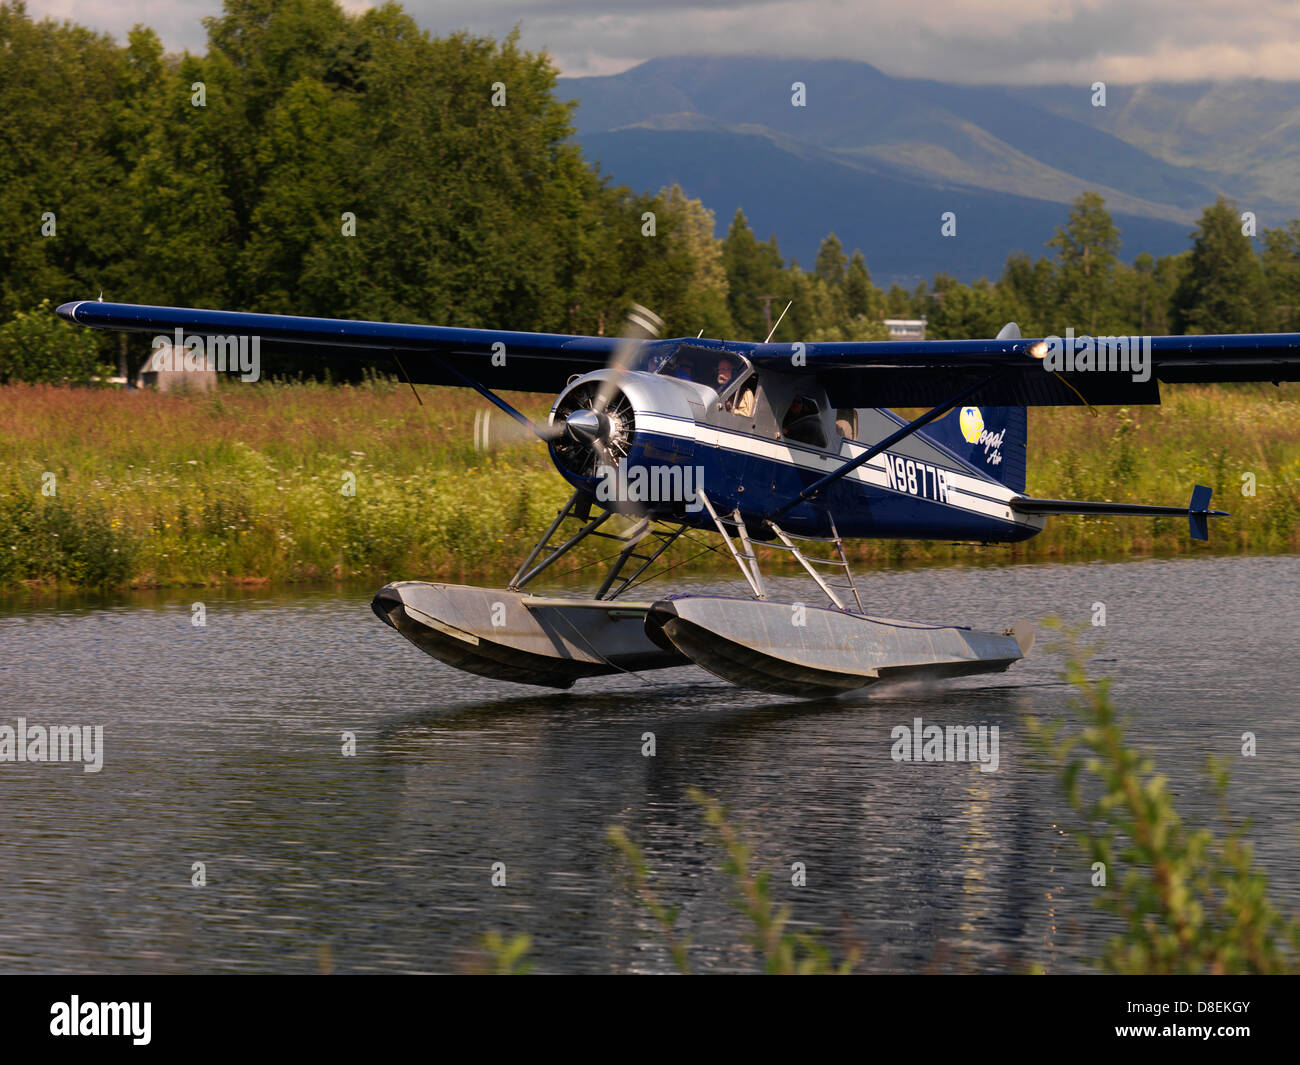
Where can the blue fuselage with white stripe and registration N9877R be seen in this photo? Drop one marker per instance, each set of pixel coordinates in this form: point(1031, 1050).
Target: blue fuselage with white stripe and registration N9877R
point(677, 436)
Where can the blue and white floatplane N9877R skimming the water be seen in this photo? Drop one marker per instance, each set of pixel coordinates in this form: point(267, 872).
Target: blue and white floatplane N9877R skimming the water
point(794, 448)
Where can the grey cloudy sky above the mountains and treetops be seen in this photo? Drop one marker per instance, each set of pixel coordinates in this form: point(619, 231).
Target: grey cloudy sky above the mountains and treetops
point(968, 41)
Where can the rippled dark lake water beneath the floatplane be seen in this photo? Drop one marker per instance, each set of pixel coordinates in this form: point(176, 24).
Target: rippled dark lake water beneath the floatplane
point(223, 746)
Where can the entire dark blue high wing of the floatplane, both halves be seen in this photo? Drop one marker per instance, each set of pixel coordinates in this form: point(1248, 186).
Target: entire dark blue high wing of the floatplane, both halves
point(877, 374)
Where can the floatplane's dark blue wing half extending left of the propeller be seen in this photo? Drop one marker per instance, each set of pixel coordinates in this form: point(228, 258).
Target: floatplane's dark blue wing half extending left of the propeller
point(430, 354)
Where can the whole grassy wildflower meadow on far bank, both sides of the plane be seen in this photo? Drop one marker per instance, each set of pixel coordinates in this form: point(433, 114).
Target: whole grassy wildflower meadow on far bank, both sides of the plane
point(244, 486)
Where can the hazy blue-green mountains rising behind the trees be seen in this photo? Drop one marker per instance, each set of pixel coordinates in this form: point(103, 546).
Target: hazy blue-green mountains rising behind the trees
point(879, 161)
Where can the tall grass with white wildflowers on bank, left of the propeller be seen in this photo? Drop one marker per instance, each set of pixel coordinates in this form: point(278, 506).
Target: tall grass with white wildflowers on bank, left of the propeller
point(245, 486)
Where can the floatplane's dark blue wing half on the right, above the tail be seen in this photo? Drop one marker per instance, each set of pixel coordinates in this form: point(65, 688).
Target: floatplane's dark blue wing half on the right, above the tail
point(921, 374)
